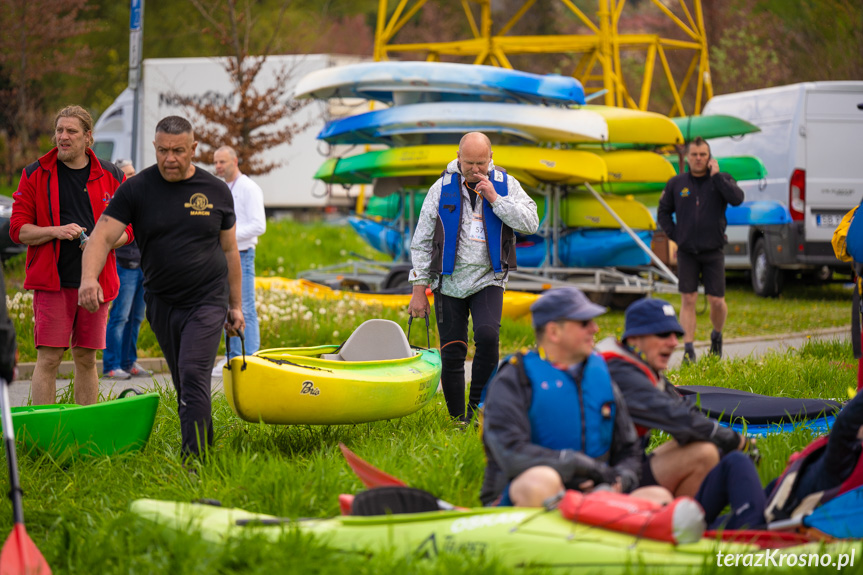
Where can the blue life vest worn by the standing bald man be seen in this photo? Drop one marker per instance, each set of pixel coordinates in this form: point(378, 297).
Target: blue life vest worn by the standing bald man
point(449, 215)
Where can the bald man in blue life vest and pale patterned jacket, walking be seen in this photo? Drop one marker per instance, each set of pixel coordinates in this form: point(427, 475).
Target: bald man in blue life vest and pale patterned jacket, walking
point(463, 249)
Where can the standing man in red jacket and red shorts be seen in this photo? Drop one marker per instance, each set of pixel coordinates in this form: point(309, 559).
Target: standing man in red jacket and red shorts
point(59, 198)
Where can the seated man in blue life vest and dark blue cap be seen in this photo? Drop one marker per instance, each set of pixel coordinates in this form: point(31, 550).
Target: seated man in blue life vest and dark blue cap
point(554, 419)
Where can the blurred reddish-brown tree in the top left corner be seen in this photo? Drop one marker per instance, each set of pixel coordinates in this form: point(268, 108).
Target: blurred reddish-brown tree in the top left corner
point(34, 50)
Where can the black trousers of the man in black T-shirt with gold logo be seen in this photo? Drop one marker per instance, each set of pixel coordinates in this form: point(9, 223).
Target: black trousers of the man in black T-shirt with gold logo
point(189, 338)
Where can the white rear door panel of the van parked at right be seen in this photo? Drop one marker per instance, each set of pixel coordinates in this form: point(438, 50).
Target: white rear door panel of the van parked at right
point(834, 163)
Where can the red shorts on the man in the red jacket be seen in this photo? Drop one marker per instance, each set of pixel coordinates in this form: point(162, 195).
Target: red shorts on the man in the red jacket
point(61, 321)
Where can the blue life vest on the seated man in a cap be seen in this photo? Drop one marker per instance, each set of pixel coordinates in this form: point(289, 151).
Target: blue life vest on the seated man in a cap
point(569, 414)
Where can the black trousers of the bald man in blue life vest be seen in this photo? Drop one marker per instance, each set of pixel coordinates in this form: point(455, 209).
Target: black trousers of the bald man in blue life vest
point(484, 307)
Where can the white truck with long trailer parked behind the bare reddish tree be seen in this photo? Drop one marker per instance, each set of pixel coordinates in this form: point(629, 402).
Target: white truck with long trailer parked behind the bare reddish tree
point(287, 187)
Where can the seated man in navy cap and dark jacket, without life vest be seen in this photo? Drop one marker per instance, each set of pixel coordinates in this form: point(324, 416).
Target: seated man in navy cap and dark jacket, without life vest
point(637, 364)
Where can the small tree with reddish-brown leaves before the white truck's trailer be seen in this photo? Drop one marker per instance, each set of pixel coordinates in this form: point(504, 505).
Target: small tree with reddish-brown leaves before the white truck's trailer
point(258, 117)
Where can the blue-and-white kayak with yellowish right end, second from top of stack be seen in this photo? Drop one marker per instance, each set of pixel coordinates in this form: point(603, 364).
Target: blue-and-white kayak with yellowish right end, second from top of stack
point(447, 122)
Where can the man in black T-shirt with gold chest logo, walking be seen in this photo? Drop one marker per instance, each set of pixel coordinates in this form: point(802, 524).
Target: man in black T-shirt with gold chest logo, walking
point(191, 267)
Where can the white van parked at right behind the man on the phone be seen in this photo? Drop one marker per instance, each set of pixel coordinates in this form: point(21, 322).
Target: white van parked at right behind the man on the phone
point(811, 142)
